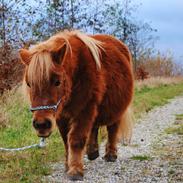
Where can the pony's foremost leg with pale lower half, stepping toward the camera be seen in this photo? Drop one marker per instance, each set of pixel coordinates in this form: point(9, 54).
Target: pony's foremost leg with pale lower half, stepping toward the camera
point(77, 139)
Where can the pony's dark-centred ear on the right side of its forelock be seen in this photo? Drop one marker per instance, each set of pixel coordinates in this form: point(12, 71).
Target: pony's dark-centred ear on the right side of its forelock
point(59, 54)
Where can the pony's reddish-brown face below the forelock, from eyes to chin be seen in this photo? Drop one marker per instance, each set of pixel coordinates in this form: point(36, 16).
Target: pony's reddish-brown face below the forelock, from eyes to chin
point(50, 93)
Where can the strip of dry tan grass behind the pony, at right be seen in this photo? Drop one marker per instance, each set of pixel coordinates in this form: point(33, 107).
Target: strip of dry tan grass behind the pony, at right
point(154, 82)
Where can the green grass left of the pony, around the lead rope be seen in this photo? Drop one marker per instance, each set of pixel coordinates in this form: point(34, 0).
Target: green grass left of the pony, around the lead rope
point(29, 165)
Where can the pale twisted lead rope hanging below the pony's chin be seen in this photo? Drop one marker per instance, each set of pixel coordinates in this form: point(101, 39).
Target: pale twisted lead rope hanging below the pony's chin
point(41, 144)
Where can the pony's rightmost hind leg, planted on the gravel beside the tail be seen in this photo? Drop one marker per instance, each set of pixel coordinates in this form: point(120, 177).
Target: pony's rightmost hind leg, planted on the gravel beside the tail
point(111, 147)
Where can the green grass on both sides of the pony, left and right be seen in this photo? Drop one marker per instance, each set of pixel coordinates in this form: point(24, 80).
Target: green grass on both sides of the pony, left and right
point(16, 130)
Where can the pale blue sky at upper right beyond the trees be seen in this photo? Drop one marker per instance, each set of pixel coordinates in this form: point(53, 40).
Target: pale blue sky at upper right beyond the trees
point(167, 17)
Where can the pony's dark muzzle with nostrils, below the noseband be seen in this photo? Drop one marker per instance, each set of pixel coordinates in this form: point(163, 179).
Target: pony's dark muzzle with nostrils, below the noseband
point(43, 128)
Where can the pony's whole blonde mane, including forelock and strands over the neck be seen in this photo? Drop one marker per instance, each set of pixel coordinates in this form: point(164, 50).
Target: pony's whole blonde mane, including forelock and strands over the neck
point(39, 67)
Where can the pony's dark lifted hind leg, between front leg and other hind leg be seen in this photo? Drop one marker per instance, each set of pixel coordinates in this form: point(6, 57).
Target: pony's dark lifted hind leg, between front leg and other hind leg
point(92, 147)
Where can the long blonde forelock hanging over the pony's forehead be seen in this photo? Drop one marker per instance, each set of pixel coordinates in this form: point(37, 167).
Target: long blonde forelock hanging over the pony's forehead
point(38, 71)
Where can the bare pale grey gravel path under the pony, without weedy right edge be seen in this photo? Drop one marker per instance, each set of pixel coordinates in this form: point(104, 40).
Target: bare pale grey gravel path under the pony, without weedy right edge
point(148, 132)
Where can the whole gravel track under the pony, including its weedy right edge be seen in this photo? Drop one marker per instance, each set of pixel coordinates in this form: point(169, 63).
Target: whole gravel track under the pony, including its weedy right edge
point(153, 155)
